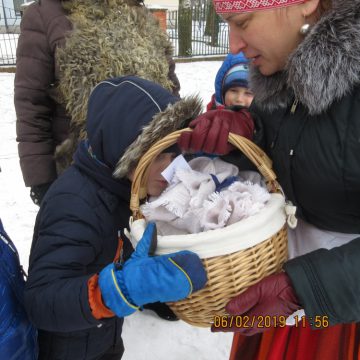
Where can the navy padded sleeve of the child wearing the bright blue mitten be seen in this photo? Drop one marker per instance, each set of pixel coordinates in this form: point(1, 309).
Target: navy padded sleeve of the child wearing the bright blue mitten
point(66, 241)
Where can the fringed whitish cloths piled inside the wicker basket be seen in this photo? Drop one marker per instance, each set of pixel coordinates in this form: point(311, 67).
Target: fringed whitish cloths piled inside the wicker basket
point(191, 203)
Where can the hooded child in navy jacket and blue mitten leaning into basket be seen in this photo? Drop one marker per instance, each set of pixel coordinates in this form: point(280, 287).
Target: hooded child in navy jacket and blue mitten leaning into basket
point(82, 278)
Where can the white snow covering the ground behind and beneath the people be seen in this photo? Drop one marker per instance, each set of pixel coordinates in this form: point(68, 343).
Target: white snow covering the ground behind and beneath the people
point(145, 335)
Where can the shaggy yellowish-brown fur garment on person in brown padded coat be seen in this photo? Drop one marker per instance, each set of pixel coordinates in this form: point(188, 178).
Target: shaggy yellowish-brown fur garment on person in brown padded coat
point(109, 39)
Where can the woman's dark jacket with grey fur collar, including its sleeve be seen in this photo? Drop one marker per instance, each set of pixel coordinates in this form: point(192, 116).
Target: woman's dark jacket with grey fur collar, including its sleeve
point(311, 117)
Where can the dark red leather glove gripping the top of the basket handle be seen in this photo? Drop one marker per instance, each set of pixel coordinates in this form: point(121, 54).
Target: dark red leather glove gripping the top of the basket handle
point(211, 131)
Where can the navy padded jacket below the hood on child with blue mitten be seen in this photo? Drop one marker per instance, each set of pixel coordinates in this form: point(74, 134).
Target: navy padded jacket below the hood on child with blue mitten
point(75, 237)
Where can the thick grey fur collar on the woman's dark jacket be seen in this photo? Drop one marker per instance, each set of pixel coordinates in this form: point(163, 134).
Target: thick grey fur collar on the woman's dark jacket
point(324, 67)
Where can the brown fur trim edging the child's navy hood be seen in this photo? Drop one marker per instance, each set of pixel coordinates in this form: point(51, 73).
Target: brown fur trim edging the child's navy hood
point(174, 117)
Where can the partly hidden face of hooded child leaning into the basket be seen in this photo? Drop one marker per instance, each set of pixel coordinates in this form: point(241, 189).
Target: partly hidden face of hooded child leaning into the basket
point(156, 183)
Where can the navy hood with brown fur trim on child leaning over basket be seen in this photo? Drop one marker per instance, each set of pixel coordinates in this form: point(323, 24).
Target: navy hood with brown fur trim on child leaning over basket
point(127, 115)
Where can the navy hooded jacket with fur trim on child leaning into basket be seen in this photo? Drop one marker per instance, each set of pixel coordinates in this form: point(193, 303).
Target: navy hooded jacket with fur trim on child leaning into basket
point(76, 231)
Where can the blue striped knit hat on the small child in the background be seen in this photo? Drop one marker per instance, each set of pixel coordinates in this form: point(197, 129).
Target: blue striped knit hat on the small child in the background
point(233, 72)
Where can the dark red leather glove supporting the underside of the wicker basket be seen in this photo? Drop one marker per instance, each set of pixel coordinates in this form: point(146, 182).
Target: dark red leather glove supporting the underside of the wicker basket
point(273, 297)
